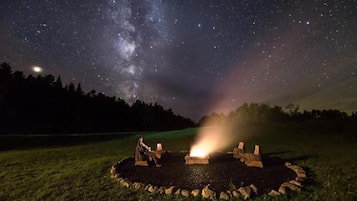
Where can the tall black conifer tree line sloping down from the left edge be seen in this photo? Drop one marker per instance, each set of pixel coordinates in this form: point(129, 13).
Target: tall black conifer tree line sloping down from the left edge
point(41, 104)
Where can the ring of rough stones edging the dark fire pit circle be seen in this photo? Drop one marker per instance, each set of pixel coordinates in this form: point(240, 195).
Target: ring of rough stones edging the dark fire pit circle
point(245, 192)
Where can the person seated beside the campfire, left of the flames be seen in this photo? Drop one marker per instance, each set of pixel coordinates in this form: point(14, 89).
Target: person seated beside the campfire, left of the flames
point(143, 152)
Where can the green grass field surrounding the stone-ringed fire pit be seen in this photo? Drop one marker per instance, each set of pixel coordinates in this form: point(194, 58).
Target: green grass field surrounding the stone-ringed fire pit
point(77, 167)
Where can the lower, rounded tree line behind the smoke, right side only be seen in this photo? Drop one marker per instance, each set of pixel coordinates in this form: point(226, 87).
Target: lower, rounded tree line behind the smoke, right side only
point(327, 120)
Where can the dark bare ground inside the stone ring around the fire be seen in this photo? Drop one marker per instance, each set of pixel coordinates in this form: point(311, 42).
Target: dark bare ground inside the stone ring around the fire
point(222, 173)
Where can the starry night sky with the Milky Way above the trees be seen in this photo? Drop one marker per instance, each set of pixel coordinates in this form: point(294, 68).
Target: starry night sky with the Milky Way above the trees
point(197, 56)
